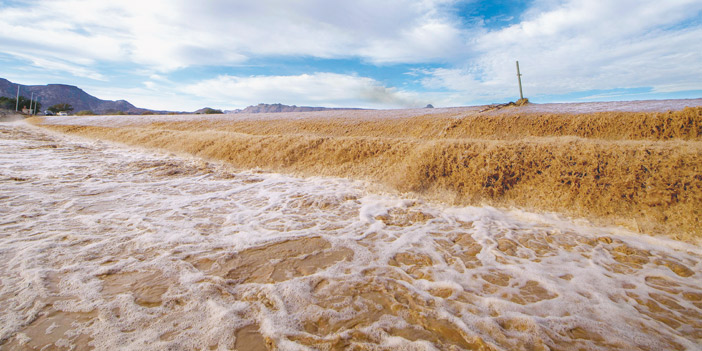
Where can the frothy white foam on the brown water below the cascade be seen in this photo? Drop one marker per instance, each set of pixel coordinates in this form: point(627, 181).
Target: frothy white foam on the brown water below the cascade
point(72, 211)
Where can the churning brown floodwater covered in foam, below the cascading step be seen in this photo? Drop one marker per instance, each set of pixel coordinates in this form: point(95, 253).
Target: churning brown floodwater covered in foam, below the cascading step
point(110, 248)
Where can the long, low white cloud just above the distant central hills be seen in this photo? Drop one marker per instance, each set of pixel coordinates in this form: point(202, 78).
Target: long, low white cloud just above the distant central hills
point(326, 89)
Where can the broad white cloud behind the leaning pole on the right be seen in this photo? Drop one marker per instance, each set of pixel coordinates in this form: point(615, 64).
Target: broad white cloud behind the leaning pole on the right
point(581, 45)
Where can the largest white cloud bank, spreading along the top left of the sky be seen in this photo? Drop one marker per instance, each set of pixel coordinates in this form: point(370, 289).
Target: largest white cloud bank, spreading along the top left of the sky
point(172, 34)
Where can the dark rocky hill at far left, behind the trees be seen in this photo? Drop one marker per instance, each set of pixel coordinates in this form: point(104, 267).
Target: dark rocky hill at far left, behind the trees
point(52, 94)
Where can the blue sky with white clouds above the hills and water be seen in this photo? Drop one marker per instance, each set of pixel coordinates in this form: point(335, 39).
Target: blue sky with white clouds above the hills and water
point(184, 55)
